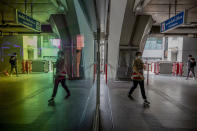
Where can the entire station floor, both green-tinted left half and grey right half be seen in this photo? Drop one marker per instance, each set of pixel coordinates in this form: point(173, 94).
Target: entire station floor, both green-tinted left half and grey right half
point(24, 106)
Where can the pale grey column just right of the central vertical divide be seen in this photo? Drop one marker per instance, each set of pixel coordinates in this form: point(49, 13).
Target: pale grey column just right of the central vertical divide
point(116, 20)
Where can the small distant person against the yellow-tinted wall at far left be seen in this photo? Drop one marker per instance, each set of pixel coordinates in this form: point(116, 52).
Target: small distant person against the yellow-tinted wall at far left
point(13, 63)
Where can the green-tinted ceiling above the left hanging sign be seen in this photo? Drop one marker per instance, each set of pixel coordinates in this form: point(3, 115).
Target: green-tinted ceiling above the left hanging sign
point(41, 9)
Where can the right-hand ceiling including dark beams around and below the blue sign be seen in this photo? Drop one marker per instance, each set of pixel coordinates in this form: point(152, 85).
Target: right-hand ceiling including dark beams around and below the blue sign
point(161, 10)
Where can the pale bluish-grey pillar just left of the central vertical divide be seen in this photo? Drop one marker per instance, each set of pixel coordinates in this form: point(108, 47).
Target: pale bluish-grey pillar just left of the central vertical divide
point(89, 47)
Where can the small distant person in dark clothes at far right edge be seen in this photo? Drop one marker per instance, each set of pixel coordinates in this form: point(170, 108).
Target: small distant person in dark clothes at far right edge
point(191, 63)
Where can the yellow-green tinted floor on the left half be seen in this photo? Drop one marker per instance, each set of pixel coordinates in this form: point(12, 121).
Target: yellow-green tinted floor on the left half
point(24, 105)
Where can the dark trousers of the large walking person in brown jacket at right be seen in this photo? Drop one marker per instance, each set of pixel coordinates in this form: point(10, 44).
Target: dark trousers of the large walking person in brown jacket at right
point(135, 84)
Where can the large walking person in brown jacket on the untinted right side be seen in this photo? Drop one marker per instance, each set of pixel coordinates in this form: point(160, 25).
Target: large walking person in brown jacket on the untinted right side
point(138, 77)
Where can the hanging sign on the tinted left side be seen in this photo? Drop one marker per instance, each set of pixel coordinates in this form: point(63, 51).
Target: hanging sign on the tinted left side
point(28, 21)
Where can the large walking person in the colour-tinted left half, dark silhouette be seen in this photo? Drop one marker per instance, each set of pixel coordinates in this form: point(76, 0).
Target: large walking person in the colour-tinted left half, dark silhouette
point(60, 76)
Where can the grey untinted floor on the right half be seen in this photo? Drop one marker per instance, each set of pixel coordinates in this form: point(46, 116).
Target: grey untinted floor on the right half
point(173, 106)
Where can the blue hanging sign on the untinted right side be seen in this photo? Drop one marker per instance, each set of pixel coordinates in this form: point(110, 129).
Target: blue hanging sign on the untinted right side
point(173, 22)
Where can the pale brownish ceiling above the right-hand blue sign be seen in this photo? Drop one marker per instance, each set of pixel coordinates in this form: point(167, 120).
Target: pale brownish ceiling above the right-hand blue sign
point(161, 10)
